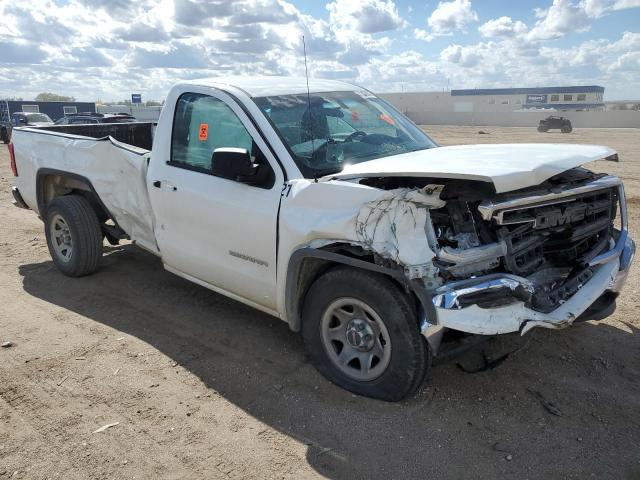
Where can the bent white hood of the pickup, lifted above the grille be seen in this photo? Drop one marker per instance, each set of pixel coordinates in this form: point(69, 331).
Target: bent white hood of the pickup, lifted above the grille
point(508, 166)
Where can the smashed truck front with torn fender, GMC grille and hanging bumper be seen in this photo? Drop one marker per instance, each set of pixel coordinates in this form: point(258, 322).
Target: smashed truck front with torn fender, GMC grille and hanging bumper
point(501, 263)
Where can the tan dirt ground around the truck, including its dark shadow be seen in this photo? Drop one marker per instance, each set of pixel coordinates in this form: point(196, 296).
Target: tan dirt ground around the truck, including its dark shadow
point(202, 387)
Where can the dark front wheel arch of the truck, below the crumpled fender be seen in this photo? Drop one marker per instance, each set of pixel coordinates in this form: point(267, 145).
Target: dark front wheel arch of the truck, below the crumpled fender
point(307, 264)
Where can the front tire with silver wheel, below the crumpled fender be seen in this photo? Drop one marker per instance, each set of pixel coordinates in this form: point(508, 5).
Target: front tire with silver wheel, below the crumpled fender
point(403, 356)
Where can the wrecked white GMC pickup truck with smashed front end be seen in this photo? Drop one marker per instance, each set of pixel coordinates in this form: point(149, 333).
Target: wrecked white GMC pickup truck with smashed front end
point(324, 206)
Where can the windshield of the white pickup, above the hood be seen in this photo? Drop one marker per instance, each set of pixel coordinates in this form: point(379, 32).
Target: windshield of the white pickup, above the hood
point(327, 131)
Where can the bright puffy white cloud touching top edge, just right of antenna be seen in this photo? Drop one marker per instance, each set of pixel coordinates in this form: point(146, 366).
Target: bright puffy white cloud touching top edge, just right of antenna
point(365, 16)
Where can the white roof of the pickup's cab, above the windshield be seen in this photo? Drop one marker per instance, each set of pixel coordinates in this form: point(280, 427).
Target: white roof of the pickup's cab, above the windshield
point(262, 86)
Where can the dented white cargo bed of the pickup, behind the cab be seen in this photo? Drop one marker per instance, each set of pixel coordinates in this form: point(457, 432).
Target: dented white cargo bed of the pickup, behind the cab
point(116, 170)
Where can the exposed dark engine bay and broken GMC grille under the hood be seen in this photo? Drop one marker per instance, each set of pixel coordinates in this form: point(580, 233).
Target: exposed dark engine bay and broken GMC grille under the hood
point(548, 243)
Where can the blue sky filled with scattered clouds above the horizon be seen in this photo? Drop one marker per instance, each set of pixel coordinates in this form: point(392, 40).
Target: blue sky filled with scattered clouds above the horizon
point(94, 49)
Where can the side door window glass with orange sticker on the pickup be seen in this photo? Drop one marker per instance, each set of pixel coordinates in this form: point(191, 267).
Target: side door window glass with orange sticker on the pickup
point(200, 125)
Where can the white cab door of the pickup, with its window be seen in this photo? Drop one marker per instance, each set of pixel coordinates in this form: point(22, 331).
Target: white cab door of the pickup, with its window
point(216, 231)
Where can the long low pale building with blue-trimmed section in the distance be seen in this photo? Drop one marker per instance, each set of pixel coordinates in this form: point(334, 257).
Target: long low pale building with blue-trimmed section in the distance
point(570, 98)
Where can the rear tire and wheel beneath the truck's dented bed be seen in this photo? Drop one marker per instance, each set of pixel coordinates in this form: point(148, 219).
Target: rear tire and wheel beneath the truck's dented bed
point(73, 235)
